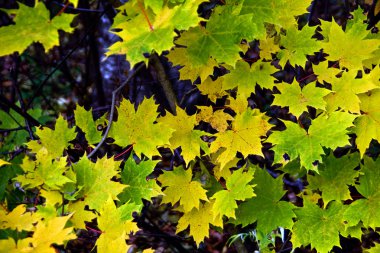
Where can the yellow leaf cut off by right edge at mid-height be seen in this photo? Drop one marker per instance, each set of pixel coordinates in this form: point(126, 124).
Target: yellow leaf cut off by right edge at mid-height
point(367, 125)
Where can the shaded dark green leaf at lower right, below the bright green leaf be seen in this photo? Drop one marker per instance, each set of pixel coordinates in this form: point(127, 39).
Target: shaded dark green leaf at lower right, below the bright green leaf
point(335, 175)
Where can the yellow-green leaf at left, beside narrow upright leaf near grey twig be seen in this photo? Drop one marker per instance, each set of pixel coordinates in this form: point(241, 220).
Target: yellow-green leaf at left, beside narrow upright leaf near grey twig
point(54, 141)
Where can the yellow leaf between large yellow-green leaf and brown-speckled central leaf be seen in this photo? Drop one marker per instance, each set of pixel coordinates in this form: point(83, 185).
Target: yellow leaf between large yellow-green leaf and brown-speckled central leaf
point(184, 135)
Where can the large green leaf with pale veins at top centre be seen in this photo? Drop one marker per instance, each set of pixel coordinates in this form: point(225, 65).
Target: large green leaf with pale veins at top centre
point(220, 38)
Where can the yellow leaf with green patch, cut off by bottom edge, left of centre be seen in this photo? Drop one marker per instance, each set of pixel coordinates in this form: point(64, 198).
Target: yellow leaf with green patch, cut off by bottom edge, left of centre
point(115, 224)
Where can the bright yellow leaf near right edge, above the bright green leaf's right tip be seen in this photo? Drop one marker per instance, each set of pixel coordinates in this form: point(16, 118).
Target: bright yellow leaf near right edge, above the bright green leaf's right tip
point(345, 90)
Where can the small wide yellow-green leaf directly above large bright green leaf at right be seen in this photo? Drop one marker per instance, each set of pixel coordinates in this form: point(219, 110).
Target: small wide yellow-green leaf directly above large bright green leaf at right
point(298, 100)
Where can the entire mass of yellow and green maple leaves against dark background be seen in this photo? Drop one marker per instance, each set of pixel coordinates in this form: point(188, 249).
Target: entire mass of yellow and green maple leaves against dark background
point(342, 102)
